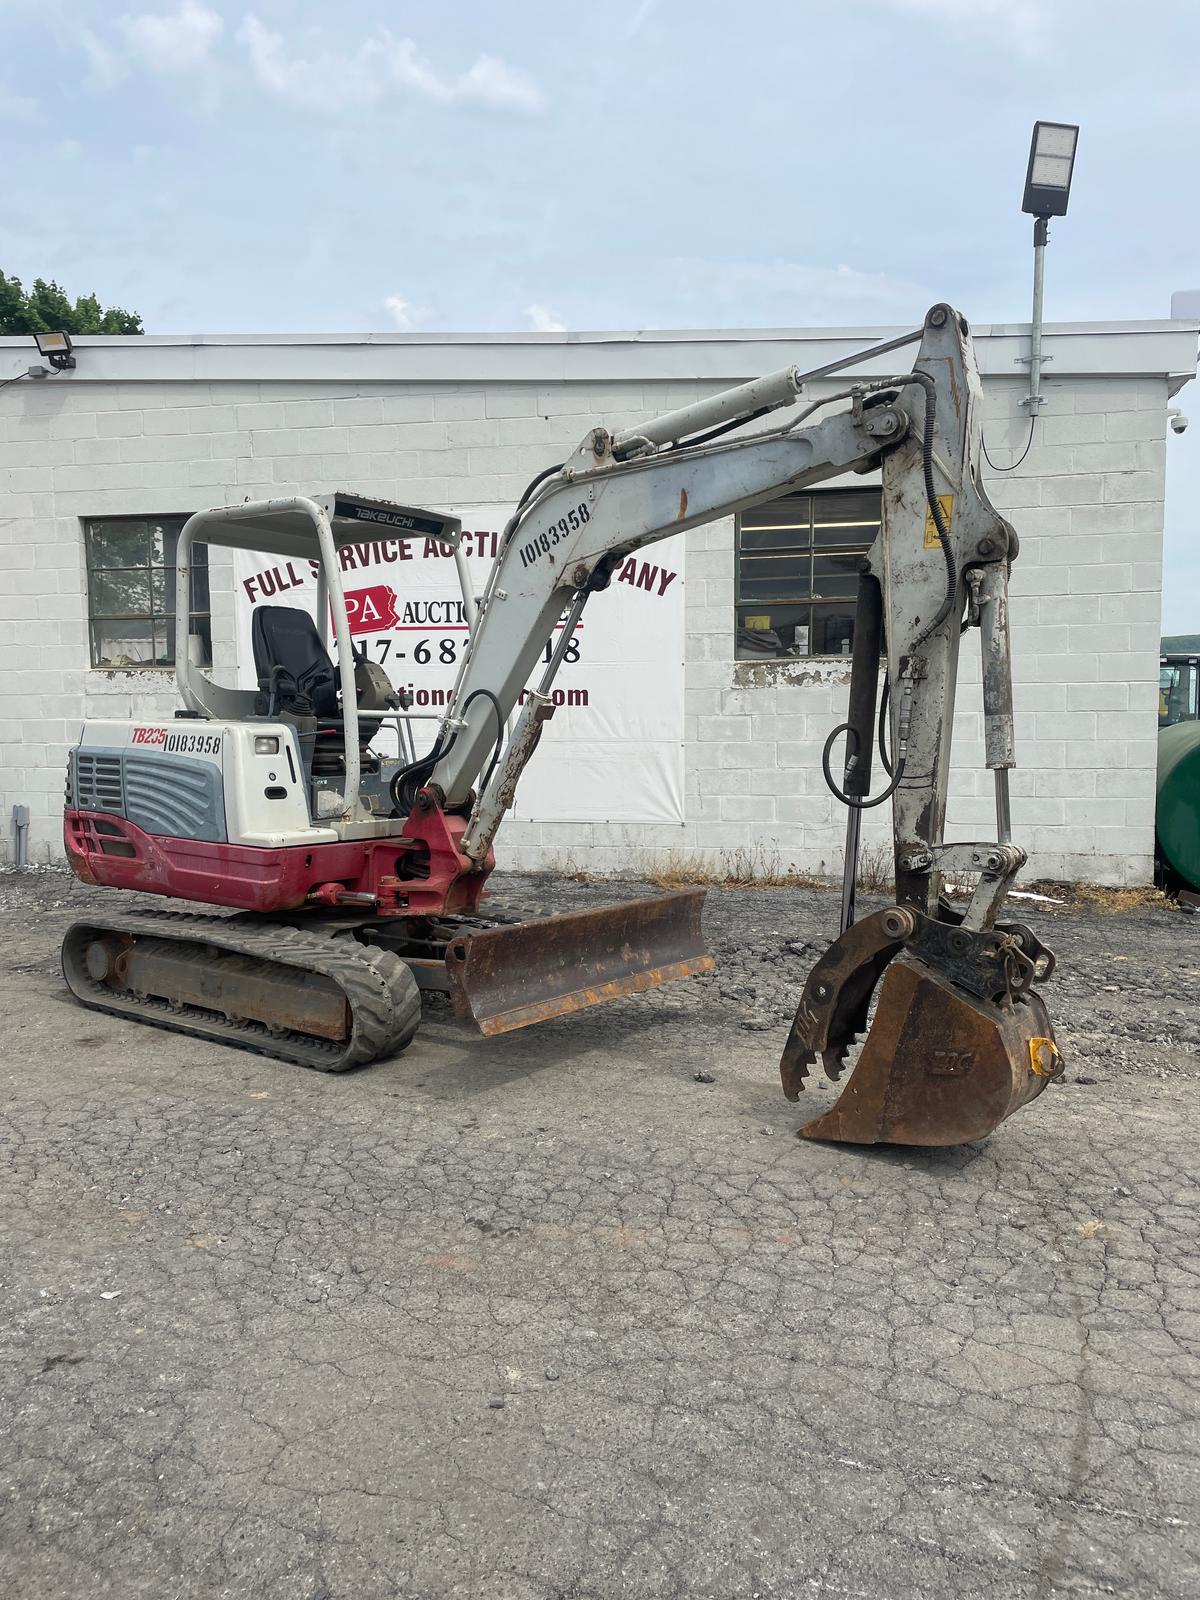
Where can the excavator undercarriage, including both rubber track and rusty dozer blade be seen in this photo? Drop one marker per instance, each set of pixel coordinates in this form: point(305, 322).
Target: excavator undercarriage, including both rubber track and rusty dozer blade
point(337, 993)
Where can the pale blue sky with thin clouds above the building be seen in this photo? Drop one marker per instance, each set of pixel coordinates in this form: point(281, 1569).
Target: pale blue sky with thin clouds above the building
point(295, 167)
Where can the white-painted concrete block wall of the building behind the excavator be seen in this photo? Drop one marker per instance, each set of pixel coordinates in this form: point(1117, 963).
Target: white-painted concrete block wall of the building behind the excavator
point(1087, 503)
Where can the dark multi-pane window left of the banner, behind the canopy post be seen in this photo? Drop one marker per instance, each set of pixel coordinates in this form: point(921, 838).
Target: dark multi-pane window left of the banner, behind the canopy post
point(132, 593)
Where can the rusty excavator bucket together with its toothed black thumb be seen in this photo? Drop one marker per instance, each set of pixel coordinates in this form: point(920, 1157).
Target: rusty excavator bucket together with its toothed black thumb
point(958, 1044)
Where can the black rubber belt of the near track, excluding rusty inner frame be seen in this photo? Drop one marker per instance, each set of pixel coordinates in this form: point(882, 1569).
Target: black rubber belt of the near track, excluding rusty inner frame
point(380, 990)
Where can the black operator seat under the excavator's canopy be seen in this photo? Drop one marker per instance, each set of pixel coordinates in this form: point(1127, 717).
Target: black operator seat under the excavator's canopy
point(297, 678)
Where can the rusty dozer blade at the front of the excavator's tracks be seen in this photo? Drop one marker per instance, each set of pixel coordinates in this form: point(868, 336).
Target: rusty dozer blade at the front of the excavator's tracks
point(513, 977)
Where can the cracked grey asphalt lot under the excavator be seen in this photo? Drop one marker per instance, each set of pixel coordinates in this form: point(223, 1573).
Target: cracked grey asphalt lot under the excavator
point(548, 1319)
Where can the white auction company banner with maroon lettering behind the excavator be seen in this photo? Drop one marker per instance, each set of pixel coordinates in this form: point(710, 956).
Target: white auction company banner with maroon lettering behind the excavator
point(612, 753)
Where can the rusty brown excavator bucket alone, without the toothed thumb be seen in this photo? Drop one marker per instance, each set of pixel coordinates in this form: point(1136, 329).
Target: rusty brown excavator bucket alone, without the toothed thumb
point(938, 1066)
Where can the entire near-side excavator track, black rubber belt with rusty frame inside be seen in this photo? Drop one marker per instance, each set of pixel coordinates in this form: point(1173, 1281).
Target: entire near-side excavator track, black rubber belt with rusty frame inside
point(279, 991)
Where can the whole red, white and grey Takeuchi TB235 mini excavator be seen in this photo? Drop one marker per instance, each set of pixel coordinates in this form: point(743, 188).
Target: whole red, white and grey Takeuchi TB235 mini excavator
point(358, 881)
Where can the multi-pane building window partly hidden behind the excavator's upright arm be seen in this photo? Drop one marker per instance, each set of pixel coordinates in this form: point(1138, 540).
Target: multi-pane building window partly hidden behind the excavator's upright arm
point(798, 572)
